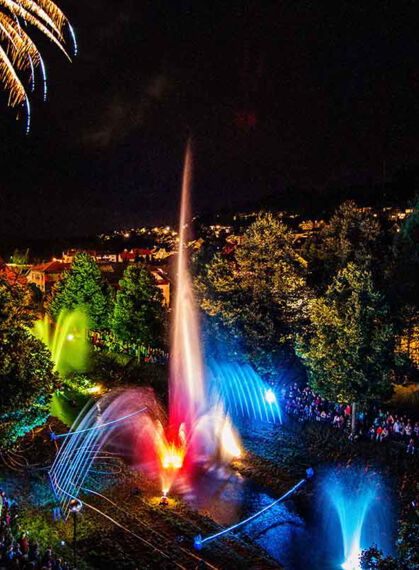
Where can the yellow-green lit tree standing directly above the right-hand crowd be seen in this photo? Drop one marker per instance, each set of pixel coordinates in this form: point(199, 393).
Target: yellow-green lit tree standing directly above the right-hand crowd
point(349, 352)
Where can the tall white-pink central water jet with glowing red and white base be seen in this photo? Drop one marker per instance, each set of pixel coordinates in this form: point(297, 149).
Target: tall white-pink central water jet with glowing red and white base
point(199, 431)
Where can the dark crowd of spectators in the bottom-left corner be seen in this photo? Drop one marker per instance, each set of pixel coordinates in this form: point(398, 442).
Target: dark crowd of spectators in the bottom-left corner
point(17, 549)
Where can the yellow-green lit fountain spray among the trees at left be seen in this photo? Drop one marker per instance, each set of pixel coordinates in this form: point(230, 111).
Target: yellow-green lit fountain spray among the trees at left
point(66, 339)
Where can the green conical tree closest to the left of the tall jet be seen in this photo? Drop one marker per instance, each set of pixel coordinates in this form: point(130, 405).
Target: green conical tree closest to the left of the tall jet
point(138, 312)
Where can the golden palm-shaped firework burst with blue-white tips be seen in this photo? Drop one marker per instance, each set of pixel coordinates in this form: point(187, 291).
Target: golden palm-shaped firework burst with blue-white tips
point(19, 56)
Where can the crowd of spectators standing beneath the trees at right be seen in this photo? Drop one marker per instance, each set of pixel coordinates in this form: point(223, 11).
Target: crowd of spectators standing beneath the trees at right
point(380, 425)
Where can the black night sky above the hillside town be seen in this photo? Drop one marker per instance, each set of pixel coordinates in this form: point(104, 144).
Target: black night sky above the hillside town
point(329, 89)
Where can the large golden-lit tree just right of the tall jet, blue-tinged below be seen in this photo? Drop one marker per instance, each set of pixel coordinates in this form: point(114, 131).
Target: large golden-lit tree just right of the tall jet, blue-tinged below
point(257, 300)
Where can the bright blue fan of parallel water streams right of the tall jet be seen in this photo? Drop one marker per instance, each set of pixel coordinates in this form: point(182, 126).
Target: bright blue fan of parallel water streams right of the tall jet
point(243, 392)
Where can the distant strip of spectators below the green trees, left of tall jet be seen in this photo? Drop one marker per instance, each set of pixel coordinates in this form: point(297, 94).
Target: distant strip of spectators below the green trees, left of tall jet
point(107, 341)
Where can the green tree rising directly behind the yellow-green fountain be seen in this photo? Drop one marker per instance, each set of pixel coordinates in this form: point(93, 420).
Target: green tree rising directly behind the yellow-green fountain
point(83, 287)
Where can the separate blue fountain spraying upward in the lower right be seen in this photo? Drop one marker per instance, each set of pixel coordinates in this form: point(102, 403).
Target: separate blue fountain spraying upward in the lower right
point(356, 510)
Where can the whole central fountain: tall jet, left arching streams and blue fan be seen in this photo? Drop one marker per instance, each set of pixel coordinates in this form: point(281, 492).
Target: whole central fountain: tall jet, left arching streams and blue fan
point(197, 434)
